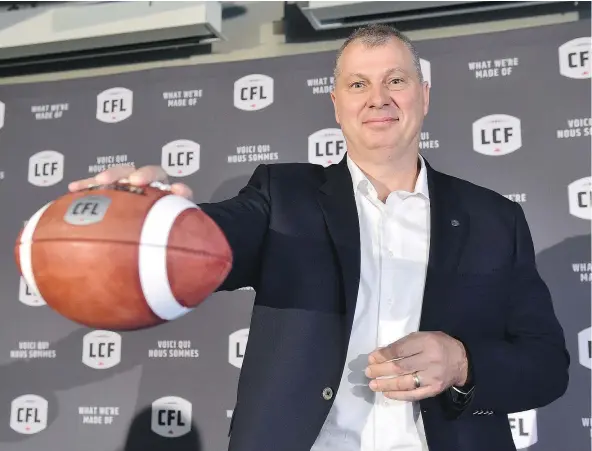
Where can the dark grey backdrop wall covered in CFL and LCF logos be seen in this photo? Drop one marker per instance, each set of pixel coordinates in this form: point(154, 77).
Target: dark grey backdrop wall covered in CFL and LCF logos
point(509, 111)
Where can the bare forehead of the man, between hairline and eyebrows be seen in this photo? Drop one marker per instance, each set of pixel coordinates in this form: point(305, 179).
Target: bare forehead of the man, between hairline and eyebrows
point(360, 57)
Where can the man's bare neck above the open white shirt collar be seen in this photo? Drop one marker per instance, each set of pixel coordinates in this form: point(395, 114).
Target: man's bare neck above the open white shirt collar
point(391, 174)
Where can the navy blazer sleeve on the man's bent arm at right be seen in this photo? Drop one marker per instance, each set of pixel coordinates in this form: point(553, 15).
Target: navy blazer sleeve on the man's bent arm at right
point(529, 369)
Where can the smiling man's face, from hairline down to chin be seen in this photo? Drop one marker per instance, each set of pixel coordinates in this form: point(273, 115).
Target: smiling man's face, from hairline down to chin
point(378, 98)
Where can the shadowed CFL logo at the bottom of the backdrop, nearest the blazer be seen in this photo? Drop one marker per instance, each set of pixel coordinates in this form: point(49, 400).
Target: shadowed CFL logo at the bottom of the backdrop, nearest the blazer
point(171, 416)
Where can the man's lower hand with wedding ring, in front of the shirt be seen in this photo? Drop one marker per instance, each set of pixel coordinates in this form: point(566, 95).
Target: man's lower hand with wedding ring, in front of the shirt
point(438, 361)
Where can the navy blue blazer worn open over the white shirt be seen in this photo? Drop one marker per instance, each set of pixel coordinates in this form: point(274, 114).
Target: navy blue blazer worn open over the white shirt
point(295, 237)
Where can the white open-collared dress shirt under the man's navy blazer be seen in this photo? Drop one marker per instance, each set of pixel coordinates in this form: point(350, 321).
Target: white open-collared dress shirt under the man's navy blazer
point(394, 252)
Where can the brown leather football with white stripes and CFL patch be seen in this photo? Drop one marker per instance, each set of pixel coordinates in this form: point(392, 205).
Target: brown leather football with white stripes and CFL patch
point(121, 257)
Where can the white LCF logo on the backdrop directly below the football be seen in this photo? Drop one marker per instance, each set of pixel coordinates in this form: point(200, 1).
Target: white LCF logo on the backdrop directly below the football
point(101, 349)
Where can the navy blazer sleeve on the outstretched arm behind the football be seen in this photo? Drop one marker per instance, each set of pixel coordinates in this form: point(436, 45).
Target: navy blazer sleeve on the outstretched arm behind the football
point(244, 219)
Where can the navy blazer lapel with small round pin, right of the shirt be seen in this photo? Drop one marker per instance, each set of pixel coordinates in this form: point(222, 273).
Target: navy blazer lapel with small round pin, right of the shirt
point(449, 226)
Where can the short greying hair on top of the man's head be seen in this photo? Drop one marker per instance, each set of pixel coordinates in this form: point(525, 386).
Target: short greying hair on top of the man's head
point(375, 35)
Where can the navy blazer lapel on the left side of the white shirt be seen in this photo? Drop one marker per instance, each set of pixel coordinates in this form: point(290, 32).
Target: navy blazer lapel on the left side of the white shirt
point(336, 198)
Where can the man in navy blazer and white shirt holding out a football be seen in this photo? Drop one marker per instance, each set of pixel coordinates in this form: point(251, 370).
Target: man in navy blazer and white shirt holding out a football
point(397, 308)
